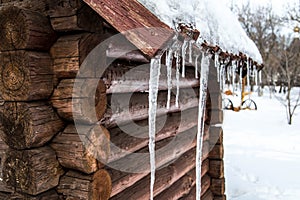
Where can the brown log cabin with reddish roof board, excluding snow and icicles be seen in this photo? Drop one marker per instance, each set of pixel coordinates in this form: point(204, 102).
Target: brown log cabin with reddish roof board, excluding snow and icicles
point(51, 147)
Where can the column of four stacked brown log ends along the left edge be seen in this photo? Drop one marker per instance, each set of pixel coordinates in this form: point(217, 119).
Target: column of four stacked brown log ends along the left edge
point(29, 167)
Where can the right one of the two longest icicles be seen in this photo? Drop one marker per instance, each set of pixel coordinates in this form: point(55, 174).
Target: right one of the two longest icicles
point(200, 133)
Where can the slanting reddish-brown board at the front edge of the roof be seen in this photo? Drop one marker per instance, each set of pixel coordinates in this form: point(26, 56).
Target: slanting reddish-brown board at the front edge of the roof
point(127, 16)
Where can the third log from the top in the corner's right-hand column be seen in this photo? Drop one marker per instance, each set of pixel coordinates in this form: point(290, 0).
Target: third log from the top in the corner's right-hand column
point(79, 102)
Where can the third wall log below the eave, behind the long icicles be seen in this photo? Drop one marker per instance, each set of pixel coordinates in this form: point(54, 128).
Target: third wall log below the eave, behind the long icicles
point(123, 108)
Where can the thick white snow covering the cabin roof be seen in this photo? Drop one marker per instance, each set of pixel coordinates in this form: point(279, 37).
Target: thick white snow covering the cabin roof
point(216, 23)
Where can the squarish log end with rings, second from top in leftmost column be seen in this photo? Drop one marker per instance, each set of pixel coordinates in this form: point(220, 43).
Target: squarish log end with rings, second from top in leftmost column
point(25, 76)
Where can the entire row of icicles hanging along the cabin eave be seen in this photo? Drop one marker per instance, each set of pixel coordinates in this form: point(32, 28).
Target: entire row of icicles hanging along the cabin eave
point(226, 73)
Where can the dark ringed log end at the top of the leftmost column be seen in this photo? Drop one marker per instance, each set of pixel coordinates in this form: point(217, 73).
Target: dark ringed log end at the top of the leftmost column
point(25, 30)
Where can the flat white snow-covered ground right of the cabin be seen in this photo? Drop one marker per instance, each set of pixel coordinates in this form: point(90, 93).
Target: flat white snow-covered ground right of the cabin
point(262, 152)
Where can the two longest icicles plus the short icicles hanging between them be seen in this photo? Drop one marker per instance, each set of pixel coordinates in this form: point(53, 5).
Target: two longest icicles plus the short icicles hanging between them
point(177, 51)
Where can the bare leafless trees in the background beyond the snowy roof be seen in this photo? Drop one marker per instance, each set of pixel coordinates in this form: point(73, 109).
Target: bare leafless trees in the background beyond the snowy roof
point(280, 56)
